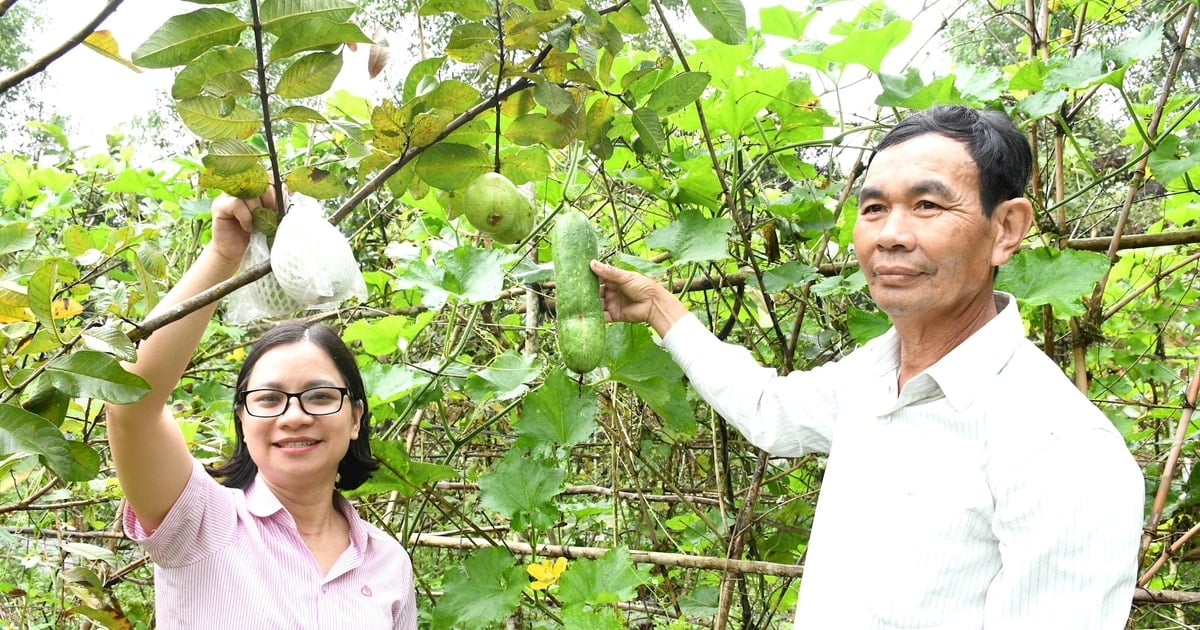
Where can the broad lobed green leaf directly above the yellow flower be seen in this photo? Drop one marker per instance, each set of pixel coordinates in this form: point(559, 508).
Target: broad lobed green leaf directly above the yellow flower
point(523, 489)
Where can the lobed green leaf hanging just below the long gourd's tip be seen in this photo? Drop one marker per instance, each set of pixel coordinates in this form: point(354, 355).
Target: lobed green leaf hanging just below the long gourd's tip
point(560, 412)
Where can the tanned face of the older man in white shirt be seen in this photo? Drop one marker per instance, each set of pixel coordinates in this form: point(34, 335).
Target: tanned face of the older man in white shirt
point(921, 238)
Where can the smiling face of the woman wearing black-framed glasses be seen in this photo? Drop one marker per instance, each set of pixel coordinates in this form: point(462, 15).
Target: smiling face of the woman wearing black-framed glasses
point(297, 449)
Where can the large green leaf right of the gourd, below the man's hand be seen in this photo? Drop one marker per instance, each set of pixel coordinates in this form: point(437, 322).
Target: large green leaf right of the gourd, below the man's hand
point(639, 363)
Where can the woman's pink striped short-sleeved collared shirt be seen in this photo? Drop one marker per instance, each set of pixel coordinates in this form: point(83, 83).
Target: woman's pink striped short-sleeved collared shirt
point(232, 559)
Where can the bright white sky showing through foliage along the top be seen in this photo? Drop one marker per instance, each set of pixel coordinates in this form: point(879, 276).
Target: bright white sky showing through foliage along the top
point(83, 85)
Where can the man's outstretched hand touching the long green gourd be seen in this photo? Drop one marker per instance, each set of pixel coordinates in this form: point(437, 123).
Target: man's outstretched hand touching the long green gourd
point(631, 297)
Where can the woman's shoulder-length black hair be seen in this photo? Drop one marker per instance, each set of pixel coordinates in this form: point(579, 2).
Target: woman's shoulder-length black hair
point(239, 470)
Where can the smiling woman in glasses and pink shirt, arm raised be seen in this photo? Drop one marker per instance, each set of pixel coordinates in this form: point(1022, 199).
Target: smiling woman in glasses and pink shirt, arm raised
point(275, 547)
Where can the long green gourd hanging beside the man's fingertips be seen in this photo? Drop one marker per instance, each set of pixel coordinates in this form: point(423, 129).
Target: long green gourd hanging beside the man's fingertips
point(578, 295)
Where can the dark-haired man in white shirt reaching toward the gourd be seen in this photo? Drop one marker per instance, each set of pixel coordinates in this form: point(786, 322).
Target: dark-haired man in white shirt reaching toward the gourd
point(969, 484)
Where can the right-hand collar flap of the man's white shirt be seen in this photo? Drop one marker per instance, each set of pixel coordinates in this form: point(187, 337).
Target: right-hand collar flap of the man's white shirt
point(968, 369)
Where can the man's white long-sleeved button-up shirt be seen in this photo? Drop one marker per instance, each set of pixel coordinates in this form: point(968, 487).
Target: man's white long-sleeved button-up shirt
point(988, 494)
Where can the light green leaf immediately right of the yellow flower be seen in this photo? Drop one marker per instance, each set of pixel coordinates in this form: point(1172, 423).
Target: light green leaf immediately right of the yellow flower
point(607, 580)
